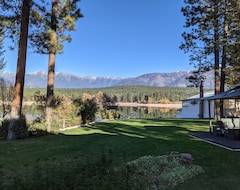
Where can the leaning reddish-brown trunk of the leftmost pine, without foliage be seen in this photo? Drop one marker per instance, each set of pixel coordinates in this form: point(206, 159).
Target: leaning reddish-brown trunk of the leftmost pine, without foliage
point(16, 108)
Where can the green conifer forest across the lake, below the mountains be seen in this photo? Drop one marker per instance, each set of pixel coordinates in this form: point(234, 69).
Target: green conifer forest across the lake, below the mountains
point(123, 93)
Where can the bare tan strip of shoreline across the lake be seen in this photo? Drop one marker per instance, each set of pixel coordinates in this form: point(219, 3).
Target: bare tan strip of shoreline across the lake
point(155, 105)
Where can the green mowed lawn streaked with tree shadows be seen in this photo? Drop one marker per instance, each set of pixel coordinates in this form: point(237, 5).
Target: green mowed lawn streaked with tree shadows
point(121, 141)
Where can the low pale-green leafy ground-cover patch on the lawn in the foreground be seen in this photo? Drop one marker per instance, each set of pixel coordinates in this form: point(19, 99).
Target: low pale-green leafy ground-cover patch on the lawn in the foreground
point(160, 172)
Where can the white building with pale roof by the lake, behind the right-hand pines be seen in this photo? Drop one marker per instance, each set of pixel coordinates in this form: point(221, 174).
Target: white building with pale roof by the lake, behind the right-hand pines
point(191, 107)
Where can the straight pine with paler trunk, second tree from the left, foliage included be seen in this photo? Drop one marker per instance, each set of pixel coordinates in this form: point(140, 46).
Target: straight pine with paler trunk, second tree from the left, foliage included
point(49, 37)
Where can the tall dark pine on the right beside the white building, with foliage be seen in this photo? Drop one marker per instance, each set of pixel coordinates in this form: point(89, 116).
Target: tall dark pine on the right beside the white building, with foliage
point(207, 42)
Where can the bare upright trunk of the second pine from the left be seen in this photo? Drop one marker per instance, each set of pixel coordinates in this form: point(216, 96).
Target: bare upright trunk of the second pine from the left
point(51, 65)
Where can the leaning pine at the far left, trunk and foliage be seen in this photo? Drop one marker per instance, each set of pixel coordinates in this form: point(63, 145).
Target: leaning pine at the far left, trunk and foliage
point(14, 19)
